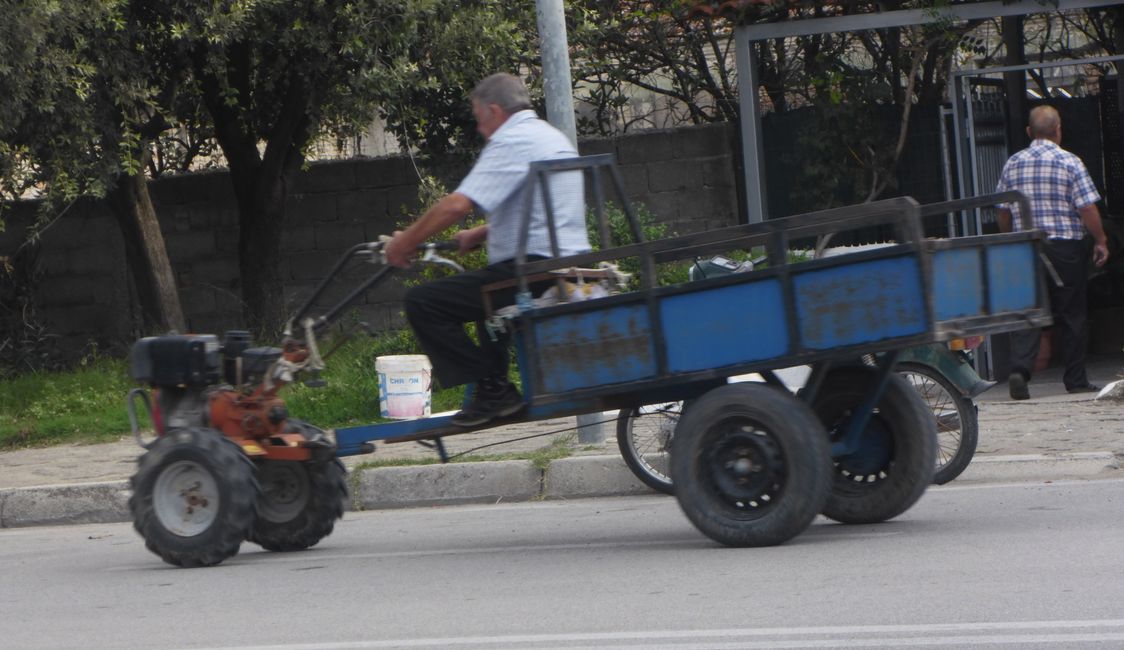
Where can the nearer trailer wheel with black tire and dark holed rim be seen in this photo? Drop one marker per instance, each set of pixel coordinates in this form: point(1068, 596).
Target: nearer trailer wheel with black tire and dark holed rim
point(751, 465)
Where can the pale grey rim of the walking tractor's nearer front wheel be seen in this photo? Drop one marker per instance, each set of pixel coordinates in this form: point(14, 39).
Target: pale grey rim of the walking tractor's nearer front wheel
point(186, 499)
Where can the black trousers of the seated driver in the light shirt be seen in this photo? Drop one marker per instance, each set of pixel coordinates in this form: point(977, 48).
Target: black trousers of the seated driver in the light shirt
point(438, 312)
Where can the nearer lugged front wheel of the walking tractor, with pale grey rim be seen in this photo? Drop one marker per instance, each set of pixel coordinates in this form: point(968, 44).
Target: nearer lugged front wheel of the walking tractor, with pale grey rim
point(194, 498)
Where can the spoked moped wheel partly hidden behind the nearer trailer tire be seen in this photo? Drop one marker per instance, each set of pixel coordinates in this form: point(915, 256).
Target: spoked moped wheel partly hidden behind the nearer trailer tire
point(645, 436)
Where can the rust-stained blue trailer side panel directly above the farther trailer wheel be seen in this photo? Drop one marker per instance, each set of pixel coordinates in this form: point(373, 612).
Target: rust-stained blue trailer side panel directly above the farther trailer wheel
point(859, 303)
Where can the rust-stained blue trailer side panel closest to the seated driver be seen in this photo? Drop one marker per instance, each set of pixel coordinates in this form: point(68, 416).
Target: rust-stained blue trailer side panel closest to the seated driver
point(590, 349)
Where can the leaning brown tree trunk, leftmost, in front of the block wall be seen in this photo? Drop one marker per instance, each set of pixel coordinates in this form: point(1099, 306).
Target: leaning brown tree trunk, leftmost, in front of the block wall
point(147, 255)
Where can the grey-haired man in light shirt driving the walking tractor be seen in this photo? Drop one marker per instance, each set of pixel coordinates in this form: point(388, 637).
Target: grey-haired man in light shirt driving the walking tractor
point(438, 311)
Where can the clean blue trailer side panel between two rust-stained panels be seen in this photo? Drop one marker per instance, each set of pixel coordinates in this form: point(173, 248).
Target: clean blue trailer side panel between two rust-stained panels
point(727, 326)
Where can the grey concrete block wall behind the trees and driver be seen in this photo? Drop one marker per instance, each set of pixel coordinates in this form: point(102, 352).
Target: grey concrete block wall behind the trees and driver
point(686, 177)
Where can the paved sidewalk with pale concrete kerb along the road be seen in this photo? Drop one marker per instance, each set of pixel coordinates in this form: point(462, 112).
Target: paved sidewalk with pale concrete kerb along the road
point(1053, 436)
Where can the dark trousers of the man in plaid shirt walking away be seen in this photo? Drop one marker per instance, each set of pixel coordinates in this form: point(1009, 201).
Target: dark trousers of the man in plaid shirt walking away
point(1071, 259)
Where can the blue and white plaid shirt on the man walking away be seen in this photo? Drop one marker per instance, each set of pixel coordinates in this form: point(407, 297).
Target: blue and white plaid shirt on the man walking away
point(1057, 185)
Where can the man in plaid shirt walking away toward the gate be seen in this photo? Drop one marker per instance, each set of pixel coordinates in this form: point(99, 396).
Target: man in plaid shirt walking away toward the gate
point(1063, 202)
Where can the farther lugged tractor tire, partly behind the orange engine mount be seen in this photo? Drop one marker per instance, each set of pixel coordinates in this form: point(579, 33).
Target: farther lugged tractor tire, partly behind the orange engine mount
point(301, 501)
